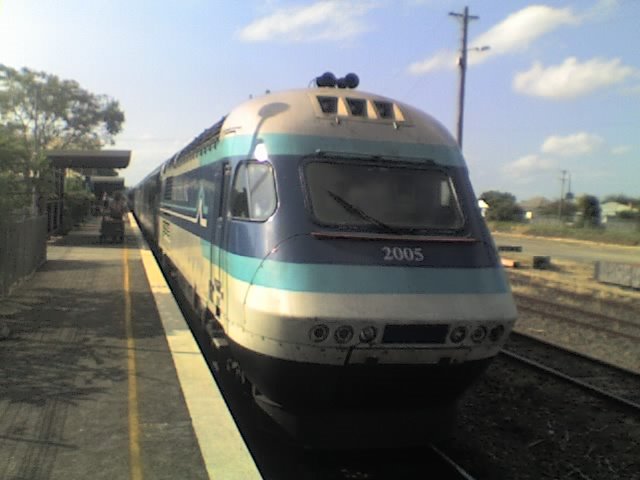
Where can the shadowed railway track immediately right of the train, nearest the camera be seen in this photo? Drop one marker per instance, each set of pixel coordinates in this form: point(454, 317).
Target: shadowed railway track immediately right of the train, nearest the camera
point(612, 383)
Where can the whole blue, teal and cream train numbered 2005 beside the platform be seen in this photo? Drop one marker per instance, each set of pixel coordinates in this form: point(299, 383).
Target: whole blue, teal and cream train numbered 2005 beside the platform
point(332, 242)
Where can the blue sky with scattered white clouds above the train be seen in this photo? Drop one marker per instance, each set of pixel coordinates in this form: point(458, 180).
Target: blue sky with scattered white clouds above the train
point(558, 89)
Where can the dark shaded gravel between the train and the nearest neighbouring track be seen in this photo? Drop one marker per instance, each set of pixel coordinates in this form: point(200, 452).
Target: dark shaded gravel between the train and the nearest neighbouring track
point(519, 424)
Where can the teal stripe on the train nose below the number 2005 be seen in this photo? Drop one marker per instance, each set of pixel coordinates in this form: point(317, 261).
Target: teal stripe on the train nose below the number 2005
point(323, 278)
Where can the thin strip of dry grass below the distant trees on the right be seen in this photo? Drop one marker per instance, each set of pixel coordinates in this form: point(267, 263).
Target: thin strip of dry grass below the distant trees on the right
point(600, 235)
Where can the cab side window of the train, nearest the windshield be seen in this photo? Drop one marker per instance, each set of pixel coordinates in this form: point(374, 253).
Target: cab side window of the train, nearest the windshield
point(253, 196)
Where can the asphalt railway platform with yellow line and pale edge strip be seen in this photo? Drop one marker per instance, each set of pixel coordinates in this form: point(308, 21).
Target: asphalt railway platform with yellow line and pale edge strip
point(100, 376)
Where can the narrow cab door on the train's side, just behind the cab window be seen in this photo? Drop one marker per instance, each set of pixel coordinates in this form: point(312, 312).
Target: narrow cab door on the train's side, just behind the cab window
point(217, 284)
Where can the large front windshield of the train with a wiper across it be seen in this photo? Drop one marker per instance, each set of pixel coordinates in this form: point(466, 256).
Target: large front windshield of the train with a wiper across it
point(386, 196)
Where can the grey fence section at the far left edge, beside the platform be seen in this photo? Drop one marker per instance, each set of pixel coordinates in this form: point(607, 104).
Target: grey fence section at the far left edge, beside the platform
point(23, 248)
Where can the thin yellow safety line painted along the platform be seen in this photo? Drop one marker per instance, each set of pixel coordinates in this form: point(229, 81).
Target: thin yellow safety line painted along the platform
point(135, 464)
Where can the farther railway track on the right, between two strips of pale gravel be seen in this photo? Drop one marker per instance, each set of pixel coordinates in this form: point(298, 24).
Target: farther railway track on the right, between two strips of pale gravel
point(578, 316)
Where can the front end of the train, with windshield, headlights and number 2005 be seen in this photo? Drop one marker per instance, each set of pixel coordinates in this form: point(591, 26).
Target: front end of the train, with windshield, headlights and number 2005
point(382, 296)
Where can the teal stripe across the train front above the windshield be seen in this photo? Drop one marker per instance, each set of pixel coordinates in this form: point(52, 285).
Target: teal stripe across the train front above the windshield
point(287, 144)
